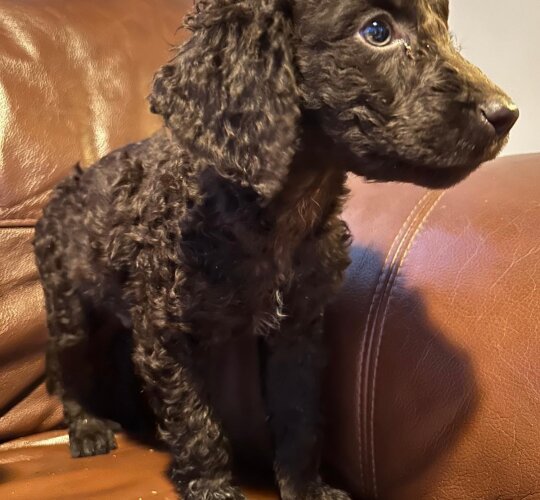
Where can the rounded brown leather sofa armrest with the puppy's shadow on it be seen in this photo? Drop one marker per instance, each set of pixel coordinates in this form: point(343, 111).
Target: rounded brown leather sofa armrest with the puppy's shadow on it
point(434, 381)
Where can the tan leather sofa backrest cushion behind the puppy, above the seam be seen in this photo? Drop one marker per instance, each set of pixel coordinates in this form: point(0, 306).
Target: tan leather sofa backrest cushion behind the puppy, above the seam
point(74, 75)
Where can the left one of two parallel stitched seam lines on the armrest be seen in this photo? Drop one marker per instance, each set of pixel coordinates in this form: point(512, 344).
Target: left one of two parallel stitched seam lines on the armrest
point(360, 421)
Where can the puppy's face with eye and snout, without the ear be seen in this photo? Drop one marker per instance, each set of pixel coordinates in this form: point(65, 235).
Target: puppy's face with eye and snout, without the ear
point(386, 79)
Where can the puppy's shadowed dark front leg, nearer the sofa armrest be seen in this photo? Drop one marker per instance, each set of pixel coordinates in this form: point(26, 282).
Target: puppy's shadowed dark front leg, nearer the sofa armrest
point(294, 363)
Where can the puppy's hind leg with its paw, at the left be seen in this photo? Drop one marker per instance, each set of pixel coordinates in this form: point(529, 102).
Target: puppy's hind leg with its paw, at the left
point(70, 375)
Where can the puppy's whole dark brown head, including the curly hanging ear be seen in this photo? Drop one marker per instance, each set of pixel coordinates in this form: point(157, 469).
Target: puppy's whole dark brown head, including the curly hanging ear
point(381, 78)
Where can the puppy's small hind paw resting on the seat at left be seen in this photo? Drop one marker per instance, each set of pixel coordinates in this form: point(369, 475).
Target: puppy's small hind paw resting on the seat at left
point(90, 436)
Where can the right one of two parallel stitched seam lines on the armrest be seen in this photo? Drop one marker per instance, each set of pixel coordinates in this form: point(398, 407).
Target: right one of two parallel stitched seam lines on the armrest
point(409, 239)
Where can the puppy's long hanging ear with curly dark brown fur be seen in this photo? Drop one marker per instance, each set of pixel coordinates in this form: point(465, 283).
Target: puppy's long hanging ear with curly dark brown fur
point(230, 94)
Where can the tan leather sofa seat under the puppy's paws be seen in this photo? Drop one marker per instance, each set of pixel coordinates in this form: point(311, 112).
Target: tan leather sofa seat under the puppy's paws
point(40, 467)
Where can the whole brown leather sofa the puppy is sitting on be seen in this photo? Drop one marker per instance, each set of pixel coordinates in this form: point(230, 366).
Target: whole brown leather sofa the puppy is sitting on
point(433, 389)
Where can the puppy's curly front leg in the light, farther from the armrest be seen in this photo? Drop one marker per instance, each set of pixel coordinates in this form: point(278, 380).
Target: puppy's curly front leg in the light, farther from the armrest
point(200, 468)
